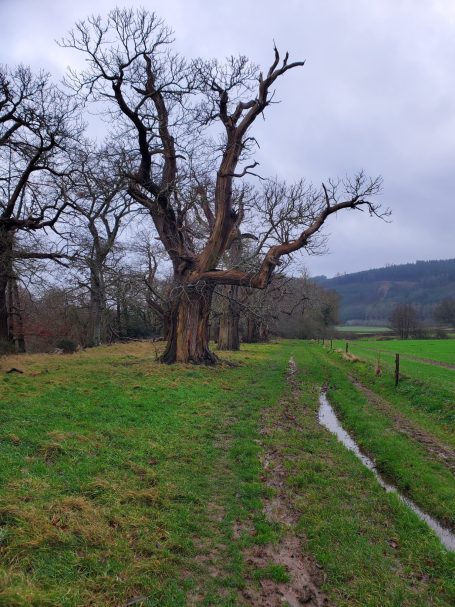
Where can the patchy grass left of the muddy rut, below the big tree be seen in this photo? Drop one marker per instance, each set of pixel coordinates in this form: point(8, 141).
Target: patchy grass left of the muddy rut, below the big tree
point(108, 464)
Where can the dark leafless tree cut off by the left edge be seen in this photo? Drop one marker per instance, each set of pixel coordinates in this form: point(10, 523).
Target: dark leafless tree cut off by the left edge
point(37, 124)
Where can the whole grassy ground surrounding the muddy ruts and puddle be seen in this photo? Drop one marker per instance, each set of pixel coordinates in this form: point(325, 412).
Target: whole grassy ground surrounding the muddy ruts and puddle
point(127, 482)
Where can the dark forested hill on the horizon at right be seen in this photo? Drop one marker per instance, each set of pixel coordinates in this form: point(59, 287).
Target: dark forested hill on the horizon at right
point(372, 294)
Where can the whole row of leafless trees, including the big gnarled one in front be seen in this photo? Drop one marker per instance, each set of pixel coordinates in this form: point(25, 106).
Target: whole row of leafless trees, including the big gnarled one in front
point(179, 154)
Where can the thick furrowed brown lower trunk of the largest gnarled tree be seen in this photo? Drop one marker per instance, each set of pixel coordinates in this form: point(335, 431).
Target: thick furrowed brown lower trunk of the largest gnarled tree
point(188, 336)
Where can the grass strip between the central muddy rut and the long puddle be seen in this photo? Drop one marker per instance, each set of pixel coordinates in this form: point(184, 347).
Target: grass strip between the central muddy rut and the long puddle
point(374, 551)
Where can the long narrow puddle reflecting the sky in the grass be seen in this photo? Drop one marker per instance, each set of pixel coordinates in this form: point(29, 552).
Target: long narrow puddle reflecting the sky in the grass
point(329, 420)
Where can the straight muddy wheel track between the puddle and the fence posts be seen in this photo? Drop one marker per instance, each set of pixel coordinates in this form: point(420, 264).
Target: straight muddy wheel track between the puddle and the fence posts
point(432, 445)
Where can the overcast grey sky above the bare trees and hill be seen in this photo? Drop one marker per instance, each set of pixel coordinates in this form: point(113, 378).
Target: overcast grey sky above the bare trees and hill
point(377, 92)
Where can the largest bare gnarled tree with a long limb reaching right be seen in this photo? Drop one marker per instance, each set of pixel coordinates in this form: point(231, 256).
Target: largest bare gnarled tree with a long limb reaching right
point(168, 109)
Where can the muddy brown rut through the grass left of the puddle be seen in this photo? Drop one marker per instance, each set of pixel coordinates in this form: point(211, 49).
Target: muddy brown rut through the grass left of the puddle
point(305, 575)
